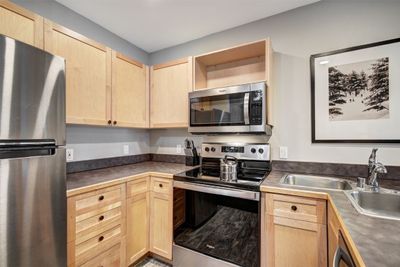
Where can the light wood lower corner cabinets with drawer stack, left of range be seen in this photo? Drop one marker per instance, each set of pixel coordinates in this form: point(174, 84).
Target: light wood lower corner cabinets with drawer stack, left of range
point(118, 225)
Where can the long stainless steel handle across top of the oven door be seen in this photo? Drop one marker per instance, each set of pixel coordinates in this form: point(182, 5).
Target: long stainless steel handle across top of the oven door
point(215, 190)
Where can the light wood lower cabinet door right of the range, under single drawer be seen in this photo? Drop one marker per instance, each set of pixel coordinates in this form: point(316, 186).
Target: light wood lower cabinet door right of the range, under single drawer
point(295, 243)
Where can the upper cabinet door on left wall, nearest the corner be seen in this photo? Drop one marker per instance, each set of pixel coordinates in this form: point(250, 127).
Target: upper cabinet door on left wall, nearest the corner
point(130, 92)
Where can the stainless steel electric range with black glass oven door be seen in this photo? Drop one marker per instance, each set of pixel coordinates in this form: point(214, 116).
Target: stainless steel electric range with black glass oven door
point(217, 222)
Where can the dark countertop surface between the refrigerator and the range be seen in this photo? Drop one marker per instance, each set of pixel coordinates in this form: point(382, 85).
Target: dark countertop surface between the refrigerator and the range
point(102, 176)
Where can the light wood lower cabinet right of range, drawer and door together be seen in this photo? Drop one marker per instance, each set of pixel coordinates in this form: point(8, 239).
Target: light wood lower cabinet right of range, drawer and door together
point(293, 231)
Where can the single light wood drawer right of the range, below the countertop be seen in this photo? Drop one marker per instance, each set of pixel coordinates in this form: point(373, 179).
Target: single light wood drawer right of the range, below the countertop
point(298, 208)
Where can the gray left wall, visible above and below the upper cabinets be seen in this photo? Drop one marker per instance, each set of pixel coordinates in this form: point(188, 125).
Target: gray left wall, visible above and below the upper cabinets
point(94, 142)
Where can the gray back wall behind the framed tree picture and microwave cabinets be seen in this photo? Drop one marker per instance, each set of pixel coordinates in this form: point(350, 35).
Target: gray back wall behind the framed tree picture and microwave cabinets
point(320, 27)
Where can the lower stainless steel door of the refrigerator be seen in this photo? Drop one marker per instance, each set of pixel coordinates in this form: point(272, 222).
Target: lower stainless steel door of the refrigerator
point(33, 211)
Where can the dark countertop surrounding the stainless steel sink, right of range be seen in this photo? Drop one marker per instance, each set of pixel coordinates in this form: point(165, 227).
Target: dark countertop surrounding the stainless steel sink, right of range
point(377, 240)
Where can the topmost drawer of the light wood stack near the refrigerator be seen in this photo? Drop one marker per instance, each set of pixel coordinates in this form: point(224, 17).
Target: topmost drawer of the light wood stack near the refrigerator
point(97, 199)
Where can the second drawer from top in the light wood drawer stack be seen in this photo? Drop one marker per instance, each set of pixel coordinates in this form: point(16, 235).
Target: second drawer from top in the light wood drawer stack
point(92, 226)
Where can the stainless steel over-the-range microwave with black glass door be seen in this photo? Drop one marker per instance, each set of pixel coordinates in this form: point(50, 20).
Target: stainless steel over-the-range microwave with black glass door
point(235, 109)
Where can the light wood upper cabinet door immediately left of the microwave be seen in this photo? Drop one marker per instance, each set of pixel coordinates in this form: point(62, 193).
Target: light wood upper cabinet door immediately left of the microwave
point(170, 84)
